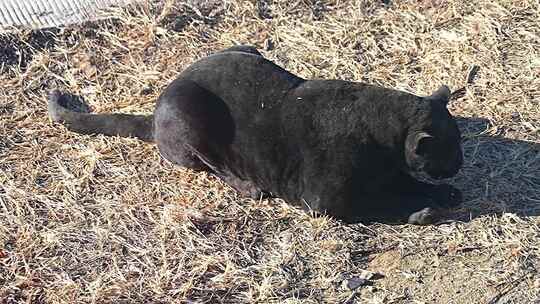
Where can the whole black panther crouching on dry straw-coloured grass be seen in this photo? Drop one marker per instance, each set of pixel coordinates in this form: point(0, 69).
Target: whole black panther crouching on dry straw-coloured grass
point(342, 148)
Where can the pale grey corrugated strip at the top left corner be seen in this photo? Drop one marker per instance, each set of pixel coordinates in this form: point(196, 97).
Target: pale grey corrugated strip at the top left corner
point(39, 14)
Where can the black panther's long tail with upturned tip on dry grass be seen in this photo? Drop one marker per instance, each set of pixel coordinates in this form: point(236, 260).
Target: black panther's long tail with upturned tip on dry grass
point(125, 125)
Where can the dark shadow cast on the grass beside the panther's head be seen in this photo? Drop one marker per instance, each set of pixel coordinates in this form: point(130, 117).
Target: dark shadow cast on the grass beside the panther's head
point(498, 175)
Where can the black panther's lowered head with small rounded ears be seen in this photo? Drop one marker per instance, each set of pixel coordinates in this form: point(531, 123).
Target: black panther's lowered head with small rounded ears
point(433, 144)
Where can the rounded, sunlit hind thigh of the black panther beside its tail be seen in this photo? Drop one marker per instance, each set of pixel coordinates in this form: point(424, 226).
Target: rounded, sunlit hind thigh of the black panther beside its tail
point(190, 122)
